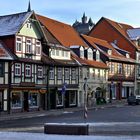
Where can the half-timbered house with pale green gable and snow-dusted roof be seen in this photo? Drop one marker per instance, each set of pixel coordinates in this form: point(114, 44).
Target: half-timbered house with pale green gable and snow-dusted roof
point(24, 37)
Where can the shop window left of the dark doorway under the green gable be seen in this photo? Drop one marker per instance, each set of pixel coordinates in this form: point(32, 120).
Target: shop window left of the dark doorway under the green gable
point(16, 100)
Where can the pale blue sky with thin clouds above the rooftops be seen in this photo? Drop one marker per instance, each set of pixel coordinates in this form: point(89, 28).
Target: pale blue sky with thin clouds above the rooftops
point(67, 11)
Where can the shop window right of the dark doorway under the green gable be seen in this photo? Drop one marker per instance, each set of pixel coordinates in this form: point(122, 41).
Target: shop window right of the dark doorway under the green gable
point(33, 99)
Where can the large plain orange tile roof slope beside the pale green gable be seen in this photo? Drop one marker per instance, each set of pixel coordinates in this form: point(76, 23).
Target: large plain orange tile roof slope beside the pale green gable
point(64, 33)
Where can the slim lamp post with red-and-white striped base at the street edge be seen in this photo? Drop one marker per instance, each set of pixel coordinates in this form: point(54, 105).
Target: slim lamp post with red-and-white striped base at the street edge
point(85, 98)
